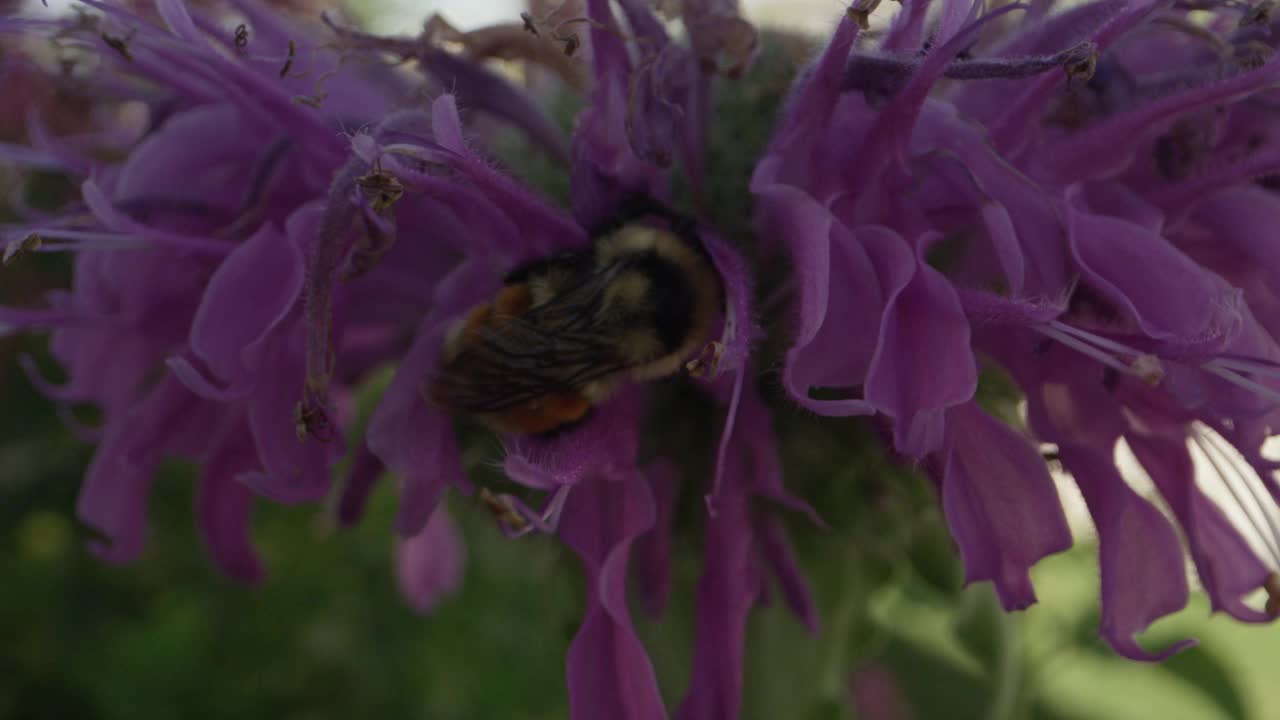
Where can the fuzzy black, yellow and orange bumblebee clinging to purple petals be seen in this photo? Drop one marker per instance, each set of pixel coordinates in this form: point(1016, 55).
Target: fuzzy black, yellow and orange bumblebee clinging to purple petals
point(566, 331)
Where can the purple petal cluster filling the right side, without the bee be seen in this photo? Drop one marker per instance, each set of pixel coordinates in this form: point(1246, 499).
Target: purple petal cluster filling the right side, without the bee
point(1085, 220)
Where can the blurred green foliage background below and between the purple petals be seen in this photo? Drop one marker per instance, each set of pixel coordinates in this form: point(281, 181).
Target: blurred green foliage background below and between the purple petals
point(328, 637)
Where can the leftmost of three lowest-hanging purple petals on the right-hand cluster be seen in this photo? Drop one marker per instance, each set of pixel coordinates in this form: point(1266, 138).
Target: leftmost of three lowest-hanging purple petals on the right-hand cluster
point(1000, 503)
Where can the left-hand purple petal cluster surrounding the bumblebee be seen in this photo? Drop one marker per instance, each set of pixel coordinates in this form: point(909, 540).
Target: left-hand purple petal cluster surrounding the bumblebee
point(285, 224)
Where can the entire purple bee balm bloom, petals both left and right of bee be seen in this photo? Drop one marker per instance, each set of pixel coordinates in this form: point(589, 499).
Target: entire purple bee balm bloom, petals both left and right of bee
point(1069, 200)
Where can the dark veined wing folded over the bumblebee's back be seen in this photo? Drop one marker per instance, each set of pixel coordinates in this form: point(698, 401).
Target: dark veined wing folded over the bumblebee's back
point(555, 348)
